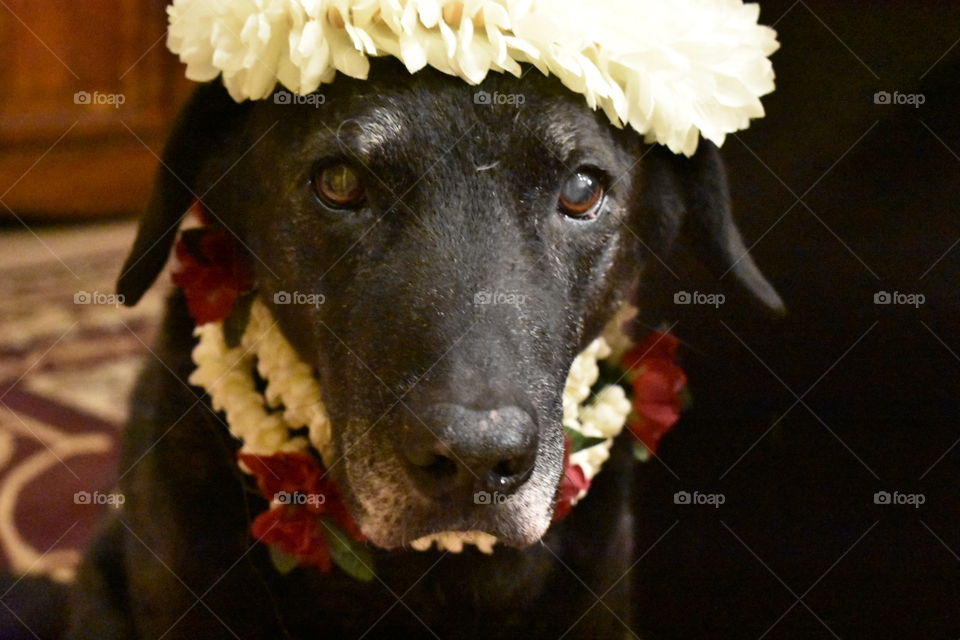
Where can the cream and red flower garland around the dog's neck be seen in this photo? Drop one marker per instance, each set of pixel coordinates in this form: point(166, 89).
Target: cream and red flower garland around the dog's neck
point(273, 405)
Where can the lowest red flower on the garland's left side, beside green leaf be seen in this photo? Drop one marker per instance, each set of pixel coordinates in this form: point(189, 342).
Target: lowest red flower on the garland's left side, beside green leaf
point(297, 532)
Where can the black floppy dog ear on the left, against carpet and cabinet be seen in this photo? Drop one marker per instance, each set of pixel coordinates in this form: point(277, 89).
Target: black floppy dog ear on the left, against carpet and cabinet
point(200, 129)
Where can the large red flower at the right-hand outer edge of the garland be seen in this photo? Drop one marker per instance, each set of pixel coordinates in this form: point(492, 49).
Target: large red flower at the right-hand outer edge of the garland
point(657, 384)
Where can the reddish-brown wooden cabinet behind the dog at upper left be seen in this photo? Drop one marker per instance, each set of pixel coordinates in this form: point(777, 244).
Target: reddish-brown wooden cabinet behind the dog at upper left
point(87, 92)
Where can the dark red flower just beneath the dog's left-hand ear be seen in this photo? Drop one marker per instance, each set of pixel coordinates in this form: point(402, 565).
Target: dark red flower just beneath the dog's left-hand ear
point(212, 272)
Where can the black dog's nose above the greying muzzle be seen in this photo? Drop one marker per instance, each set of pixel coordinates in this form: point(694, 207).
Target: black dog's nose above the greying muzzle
point(451, 449)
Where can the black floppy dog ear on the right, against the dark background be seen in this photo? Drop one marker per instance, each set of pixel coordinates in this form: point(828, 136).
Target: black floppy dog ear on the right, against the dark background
point(690, 198)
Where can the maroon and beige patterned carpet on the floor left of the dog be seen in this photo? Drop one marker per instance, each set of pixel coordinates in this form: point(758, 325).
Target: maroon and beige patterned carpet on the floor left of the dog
point(68, 357)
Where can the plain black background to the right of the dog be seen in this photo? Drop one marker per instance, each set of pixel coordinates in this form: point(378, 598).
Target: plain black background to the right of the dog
point(799, 549)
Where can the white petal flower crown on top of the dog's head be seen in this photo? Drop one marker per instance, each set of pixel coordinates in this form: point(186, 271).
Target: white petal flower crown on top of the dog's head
point(671, 69)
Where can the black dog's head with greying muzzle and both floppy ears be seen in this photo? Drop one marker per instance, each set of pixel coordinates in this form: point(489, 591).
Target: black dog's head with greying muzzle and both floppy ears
point(466, 243)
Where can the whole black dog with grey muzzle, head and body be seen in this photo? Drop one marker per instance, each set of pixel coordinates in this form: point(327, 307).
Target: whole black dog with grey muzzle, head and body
point(456, 196)
